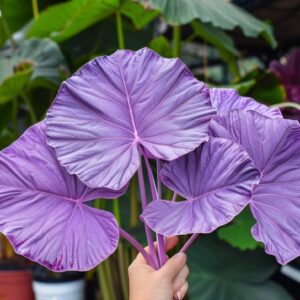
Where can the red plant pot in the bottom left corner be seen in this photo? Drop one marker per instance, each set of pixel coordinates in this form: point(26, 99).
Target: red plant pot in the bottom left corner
point(16, 285)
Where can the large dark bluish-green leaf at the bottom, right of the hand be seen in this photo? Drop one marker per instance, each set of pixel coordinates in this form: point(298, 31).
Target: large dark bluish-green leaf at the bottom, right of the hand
point(221, 272)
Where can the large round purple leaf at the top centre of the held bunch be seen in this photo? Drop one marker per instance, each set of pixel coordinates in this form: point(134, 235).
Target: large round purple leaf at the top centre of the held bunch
point(114, 104)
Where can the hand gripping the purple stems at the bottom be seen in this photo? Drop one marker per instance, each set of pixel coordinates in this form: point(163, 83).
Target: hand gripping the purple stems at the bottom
point(167, 283)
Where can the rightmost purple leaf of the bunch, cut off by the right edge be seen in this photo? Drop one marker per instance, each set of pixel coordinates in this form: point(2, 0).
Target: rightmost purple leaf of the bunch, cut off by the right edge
point(274, 146)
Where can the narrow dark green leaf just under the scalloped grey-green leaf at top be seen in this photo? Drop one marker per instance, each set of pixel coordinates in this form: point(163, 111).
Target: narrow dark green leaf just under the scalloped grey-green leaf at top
point(215, 37)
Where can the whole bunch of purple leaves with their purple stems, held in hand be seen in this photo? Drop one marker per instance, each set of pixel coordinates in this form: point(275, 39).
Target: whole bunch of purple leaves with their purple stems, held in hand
point(115, 116)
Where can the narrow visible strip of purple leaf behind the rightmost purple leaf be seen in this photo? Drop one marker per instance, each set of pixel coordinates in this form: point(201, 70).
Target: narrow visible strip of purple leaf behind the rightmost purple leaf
point(228, 99)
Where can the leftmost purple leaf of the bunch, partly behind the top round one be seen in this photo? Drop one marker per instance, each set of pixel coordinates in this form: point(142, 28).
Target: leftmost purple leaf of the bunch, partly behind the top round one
point(42, 209)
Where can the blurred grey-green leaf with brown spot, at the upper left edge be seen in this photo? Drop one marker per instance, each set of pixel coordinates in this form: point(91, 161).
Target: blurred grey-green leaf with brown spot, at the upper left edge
point(44, 57)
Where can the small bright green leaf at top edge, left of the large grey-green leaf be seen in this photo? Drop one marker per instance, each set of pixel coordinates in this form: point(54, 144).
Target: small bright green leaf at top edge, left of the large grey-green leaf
point(139, 15)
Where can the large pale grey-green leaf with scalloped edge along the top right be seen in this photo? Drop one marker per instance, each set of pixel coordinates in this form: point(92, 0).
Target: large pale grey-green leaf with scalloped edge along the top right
point(220, 13)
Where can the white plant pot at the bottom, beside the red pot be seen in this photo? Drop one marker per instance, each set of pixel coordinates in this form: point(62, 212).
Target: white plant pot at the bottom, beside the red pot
point(70, 290)
